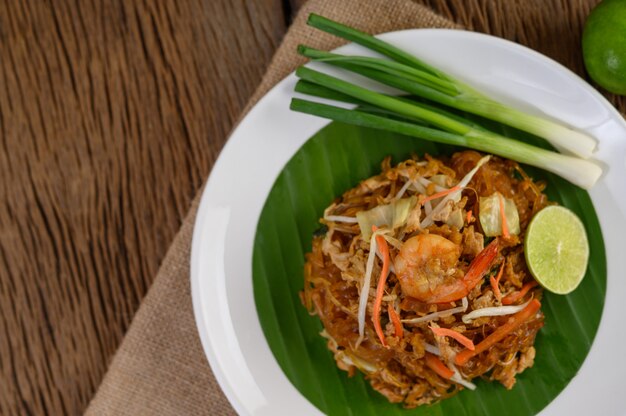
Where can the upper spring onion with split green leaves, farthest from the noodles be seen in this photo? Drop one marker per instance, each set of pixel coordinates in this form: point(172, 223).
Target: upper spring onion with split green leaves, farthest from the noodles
point(410, 74)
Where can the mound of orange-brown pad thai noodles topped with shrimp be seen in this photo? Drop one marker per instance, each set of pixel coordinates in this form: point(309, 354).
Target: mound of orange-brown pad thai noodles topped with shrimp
point(419, 277)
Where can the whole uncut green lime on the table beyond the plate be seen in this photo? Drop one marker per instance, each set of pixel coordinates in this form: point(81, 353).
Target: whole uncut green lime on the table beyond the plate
point(604, 45)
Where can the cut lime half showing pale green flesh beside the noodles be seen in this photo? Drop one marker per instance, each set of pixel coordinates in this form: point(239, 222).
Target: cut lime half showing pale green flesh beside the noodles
point(557, 250)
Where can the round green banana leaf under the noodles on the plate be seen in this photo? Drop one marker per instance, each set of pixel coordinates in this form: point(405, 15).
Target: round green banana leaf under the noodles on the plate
point(328, 164)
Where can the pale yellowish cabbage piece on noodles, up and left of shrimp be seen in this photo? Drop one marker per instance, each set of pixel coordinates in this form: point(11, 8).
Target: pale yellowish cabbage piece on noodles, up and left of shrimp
point(392, 215)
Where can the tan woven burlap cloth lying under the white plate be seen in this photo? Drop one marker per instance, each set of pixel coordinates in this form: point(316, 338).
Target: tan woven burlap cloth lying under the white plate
point(160, 367)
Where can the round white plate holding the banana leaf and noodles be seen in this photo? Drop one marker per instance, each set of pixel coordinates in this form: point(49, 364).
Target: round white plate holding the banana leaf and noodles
point(221, 260)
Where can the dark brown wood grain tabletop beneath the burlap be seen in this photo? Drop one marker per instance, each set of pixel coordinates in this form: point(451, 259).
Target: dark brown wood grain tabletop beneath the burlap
point(111, 116)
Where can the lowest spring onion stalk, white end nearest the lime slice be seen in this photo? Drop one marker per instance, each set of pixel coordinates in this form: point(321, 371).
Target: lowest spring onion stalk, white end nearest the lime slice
point(583, 173)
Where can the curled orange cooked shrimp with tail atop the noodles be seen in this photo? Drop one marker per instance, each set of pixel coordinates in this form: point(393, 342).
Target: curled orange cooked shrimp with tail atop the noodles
point(426, 267)
